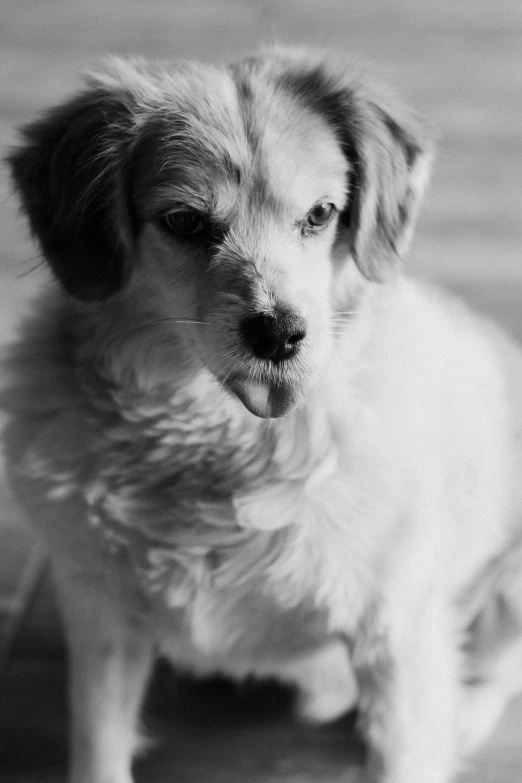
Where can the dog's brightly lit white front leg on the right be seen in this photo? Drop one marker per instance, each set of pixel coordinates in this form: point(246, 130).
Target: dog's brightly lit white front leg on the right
point(408, 679)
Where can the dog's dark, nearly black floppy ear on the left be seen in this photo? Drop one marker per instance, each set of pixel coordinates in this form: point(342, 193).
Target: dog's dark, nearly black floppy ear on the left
point(70, 175)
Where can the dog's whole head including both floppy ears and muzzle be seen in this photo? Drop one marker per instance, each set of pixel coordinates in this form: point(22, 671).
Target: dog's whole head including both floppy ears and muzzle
point(243, 197)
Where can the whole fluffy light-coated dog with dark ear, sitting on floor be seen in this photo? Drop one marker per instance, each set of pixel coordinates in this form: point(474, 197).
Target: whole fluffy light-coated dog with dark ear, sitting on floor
point(251, 442)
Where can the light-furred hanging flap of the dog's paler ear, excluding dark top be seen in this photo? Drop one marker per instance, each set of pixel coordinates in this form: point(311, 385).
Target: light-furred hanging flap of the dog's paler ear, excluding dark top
point(390, 158)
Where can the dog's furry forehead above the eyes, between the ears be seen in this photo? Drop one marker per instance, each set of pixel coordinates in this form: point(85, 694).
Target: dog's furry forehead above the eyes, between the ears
point(218, 134)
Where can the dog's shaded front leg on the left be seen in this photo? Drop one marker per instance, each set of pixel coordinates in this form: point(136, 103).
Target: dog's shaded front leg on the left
point(110, 657)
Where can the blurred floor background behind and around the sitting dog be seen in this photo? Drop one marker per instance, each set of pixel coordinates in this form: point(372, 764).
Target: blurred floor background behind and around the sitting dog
point(459, 62)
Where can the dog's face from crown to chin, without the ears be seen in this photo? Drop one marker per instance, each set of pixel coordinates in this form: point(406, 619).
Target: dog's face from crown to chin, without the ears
point(239, 204)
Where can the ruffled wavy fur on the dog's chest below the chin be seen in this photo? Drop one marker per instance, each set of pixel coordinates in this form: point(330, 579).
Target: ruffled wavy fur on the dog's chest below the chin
point(214, 520)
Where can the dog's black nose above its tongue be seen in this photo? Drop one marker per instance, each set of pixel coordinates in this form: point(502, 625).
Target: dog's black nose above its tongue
point(274, 337)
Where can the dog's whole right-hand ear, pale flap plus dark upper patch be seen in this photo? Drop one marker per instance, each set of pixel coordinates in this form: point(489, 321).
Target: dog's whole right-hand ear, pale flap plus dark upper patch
point(383, 144)
